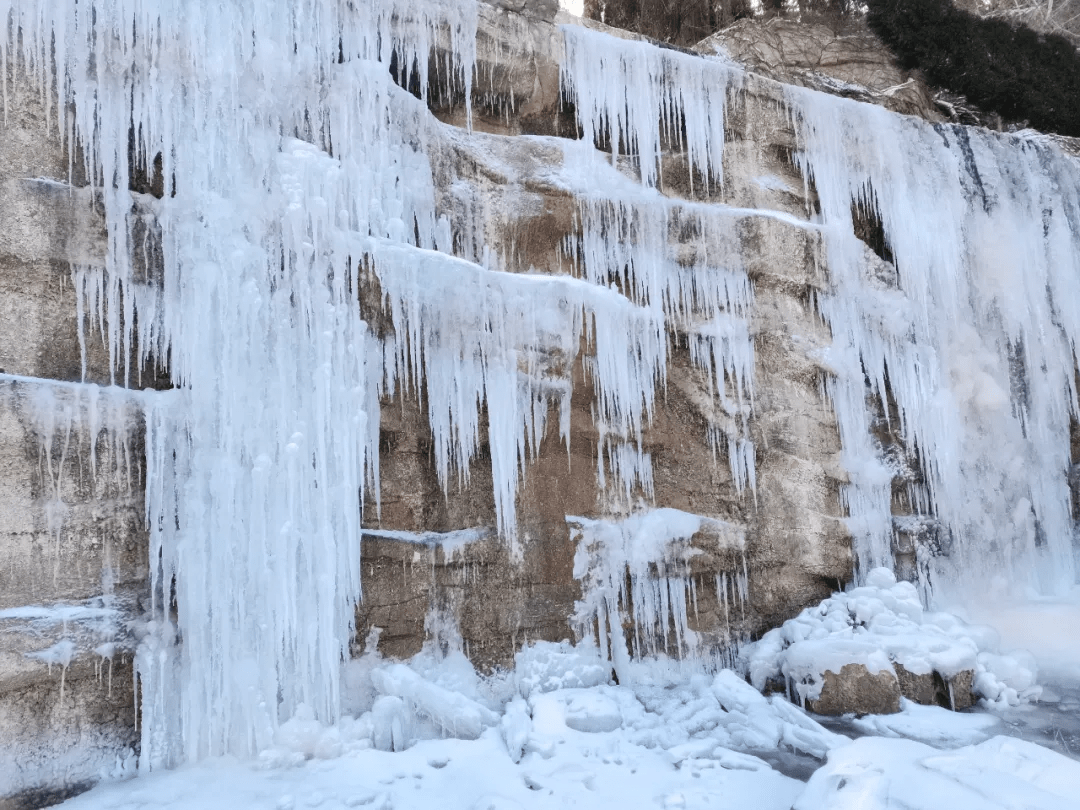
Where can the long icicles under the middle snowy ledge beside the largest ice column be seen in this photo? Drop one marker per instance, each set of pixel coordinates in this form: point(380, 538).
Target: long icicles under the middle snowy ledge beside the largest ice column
point(477, 336)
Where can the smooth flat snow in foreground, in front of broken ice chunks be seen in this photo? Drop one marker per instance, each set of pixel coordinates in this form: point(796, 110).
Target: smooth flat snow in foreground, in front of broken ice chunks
point(455, 775)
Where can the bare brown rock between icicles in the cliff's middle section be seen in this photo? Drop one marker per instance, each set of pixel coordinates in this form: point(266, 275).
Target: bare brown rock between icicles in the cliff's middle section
point(510, 190)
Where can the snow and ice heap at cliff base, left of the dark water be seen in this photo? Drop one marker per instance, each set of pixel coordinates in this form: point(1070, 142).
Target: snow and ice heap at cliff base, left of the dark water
point(596, 746)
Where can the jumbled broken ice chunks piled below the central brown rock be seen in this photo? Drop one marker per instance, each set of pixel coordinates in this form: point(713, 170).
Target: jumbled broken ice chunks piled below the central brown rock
point(559, 690)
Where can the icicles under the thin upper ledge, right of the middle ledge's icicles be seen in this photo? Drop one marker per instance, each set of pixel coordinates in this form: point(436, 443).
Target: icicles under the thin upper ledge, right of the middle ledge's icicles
point(633, 244)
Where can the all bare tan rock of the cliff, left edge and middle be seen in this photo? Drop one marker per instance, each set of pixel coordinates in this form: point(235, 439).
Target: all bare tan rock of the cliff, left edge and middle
point(71, 491)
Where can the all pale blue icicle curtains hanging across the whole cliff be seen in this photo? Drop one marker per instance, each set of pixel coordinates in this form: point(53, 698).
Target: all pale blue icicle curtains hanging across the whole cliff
point(296, 172)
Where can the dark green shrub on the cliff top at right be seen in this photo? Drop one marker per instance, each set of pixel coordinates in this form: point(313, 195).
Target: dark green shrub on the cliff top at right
point(1015, 72)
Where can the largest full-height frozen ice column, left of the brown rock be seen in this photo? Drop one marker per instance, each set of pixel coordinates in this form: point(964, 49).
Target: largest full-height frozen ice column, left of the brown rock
point(256, 465)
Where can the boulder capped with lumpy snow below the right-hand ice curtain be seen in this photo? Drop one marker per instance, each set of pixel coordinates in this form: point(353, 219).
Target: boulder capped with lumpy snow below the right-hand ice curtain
point(829, 654)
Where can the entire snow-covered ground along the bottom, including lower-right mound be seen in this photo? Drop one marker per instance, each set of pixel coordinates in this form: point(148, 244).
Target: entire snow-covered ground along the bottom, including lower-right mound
point(558, 733)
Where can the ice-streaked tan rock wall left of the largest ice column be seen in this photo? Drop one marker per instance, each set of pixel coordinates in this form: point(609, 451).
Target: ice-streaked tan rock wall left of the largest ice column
point(71, 487)
